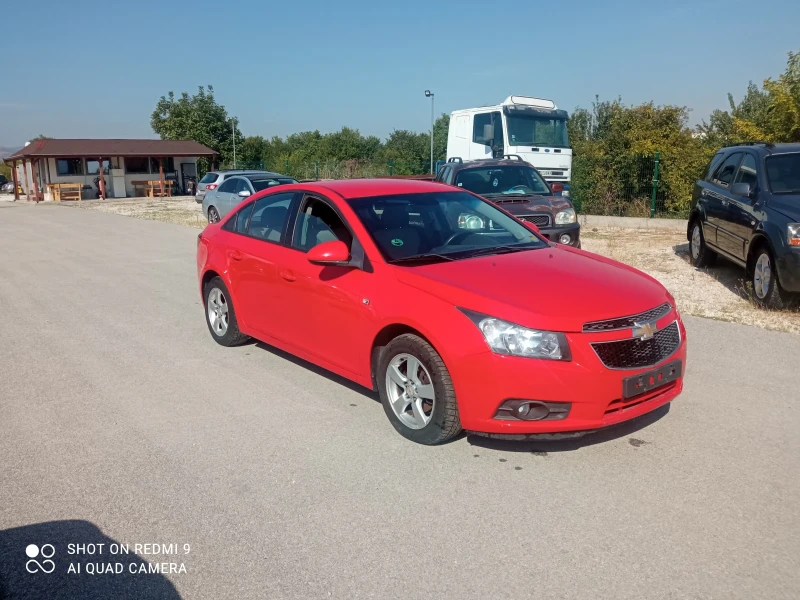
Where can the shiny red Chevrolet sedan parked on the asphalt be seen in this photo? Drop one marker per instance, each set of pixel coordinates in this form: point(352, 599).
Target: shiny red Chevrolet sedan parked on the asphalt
point(459, 315)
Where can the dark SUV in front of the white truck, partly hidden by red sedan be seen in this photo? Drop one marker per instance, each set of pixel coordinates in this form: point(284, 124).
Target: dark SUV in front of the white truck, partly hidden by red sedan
point(517, 187)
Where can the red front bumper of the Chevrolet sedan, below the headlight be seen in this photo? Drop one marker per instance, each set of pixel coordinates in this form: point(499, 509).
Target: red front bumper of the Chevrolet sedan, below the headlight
point(486, 380)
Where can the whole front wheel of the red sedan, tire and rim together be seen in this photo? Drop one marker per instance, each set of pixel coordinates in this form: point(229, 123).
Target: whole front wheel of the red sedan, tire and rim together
point(416, 391)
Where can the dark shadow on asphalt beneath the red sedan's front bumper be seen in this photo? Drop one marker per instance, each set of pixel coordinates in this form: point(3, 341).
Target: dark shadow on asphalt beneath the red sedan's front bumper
point(544, 445)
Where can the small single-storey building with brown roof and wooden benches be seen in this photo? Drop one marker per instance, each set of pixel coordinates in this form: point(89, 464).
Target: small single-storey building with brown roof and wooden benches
point(126, 164)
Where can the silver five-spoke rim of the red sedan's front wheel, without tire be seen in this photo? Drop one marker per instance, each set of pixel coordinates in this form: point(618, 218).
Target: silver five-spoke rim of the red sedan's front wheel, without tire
point(410, 390)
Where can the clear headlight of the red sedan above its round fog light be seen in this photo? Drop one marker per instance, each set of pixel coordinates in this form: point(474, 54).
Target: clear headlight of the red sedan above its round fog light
point(507, 338)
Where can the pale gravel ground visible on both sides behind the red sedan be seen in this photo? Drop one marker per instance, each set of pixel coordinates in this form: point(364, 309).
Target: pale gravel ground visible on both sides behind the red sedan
point(716, 293)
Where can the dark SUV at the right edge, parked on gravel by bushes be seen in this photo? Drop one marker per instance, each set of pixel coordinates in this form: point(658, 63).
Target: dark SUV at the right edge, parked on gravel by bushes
point(747, 209)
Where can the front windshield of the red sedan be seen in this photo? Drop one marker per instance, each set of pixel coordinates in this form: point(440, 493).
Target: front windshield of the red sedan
point(437, 226)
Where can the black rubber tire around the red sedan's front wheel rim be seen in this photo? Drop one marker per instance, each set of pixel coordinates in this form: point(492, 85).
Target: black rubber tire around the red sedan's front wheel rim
point(444, 422)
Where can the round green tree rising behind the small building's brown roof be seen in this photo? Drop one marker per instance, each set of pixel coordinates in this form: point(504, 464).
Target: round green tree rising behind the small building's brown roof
point(199, 118)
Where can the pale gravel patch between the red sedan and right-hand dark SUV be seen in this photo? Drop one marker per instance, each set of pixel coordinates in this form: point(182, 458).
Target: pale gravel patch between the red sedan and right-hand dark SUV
point(720, 292)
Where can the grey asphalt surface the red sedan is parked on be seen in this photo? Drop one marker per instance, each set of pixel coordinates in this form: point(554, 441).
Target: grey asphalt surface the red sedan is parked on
point(121, 421)
